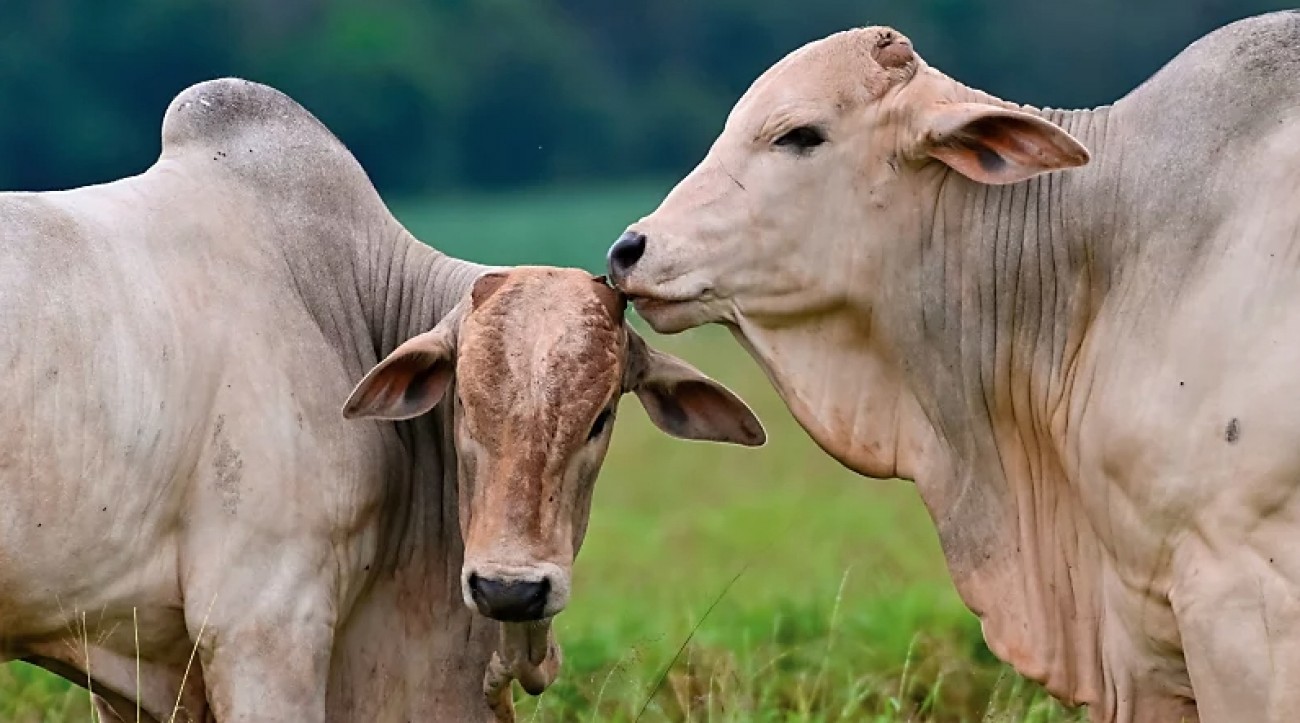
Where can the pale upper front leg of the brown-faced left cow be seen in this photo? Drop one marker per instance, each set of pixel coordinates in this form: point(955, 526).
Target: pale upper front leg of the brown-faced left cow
point(266, 646)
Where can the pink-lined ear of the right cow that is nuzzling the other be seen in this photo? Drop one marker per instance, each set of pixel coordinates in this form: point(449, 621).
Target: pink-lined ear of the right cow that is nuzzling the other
point(996, 146)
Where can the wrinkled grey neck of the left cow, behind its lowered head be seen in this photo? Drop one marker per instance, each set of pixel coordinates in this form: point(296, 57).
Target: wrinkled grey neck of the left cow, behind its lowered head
point(409, 650)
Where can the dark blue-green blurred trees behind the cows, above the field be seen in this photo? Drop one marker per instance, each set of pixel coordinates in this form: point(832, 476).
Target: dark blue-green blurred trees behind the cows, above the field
point(441, 94)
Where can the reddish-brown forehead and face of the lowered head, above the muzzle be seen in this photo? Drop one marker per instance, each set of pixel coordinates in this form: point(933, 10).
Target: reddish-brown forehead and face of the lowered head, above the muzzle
point(540, 358)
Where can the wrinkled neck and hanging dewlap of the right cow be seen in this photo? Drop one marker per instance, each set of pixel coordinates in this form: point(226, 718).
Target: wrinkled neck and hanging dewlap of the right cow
point(960, 373)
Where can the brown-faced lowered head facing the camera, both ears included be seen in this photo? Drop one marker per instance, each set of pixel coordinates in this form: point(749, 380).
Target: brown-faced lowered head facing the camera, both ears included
point(540, 358)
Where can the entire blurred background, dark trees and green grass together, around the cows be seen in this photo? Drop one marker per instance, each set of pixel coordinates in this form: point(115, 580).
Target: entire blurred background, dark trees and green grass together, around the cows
point(717, 585)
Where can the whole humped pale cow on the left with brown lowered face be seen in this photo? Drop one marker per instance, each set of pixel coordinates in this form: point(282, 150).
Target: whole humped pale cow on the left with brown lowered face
point(180, 475)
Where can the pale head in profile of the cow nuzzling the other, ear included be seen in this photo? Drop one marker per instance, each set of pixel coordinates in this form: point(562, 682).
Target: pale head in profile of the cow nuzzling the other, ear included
point(830, 159)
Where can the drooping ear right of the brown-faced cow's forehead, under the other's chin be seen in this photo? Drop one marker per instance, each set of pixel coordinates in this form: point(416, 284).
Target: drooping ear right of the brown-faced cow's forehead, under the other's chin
point(686, 404)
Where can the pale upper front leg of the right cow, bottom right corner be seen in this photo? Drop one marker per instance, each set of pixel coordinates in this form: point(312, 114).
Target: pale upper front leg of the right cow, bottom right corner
point(1241, 629)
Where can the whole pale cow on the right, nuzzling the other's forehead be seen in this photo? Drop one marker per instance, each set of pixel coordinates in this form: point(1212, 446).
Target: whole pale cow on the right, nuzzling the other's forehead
point(1076, 331)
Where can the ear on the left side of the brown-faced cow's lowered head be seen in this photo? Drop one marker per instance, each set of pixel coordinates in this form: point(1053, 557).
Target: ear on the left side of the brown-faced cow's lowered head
point(410, 382)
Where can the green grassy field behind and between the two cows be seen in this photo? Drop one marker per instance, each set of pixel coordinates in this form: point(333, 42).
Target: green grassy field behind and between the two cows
point(773, 585)
